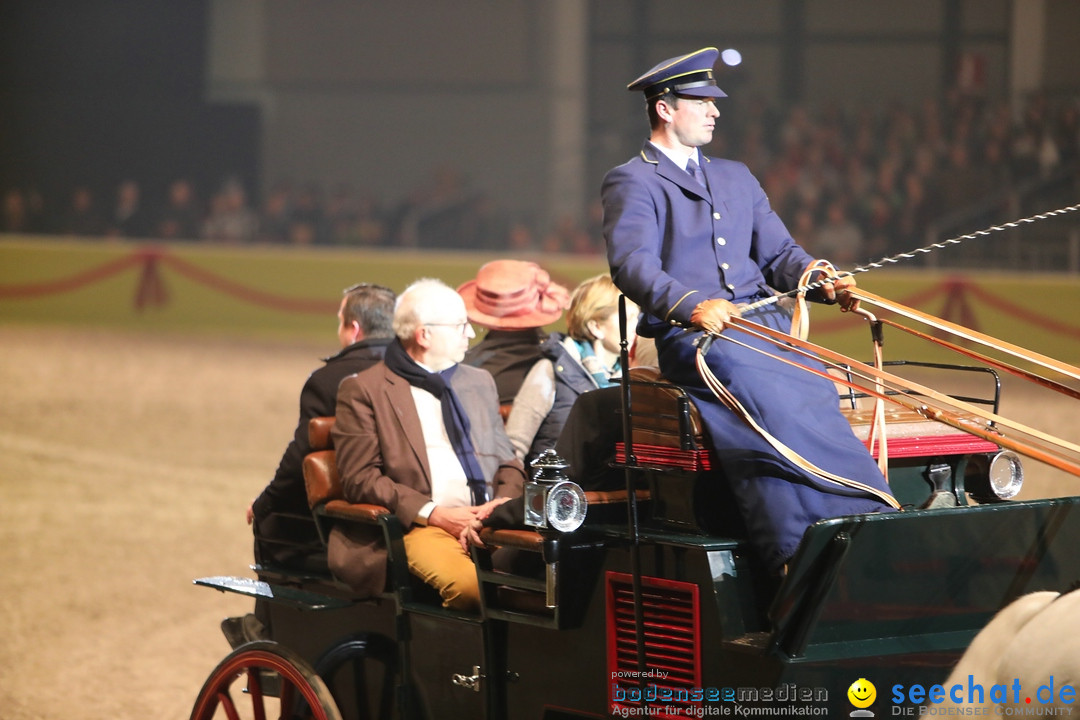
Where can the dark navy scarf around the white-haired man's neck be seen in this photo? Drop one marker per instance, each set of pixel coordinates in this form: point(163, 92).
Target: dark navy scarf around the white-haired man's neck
point(454, 415)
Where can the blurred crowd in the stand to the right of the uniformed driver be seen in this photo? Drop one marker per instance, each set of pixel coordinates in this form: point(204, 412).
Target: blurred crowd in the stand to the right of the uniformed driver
point(870, 184)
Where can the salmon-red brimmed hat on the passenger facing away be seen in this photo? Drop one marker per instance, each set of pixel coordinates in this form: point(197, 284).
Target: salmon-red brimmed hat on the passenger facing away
point(514, 295)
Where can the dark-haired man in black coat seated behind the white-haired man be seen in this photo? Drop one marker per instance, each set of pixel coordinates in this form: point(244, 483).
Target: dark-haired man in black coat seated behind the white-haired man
point(286, 535)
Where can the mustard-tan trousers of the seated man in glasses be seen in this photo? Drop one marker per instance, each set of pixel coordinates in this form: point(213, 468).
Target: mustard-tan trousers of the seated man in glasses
point(436, 558)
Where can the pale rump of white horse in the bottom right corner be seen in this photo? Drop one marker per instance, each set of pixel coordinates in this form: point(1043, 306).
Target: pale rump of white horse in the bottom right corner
point(1028, 657)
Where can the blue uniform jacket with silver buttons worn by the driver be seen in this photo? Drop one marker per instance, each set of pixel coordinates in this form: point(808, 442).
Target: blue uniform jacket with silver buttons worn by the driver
point(672, 244)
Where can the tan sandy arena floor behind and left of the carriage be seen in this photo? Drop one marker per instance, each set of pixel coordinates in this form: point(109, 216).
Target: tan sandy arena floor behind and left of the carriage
point(127, 463)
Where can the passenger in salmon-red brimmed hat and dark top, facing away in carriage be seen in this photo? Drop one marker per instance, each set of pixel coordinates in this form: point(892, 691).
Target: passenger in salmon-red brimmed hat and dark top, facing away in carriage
point(515, 301)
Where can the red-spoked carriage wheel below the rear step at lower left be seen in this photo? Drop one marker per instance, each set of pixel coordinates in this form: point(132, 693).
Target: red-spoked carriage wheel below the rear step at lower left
point(263, 682)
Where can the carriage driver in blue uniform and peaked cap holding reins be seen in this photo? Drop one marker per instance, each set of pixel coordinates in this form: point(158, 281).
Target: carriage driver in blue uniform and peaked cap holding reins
point(692, 238)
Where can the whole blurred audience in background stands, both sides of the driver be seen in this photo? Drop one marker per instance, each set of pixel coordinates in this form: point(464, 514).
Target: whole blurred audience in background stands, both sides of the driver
point(852, 185)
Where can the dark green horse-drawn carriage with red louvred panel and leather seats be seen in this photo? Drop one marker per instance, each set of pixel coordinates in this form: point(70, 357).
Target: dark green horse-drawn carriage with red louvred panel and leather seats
point(647, 601)
